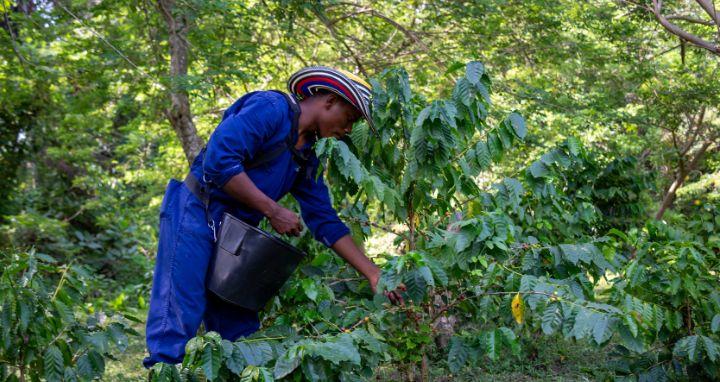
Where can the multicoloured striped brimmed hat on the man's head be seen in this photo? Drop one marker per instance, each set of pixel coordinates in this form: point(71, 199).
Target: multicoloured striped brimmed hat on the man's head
point(307, 81)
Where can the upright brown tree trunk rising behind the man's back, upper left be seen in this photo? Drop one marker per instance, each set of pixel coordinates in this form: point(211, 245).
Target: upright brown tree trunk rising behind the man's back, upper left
point(179, 113)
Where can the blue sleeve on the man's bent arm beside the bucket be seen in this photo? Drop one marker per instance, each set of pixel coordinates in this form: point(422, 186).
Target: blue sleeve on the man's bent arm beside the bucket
point(241, 134)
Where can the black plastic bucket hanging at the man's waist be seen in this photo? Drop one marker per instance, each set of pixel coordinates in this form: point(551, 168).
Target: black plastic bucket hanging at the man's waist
point(250, 265)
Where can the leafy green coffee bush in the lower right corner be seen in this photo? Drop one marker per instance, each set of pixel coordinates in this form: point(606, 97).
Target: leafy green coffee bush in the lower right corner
point(668, 289)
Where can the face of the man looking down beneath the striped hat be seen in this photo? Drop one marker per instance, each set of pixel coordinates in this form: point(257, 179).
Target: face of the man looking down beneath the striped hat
point(336, 117)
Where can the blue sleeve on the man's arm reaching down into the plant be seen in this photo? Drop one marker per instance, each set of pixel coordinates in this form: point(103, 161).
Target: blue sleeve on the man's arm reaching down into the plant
point(316, 208)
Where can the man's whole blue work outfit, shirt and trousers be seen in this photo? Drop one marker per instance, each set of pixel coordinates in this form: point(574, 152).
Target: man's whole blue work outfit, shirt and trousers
point(256, 123)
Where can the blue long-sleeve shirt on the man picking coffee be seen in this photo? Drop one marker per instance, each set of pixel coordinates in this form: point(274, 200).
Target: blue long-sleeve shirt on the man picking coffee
point(256, 126)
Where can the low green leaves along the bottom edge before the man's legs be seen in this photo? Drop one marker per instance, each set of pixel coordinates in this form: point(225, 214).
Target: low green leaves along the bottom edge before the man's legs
point(266, 358)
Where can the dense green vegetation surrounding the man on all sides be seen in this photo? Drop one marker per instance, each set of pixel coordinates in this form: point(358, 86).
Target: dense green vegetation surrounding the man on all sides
point(544, 171)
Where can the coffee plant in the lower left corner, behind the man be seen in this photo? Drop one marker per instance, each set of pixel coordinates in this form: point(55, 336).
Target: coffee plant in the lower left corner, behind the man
point(42, 336)
